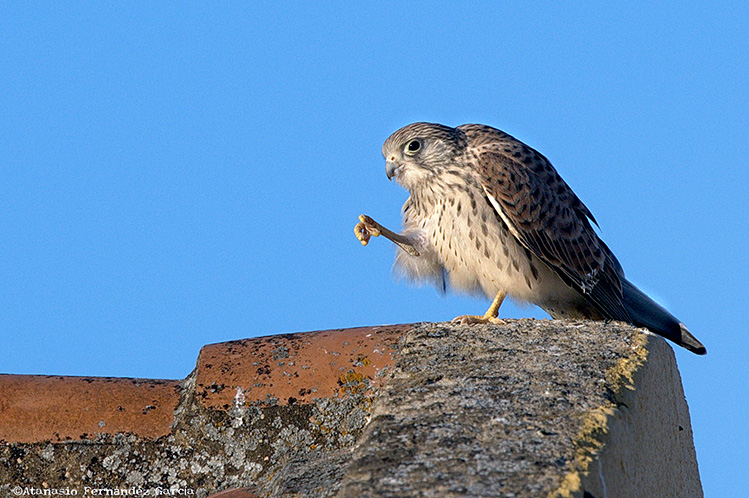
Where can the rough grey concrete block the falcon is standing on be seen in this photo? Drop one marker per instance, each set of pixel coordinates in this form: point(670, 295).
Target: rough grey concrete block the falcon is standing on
point(523, 410)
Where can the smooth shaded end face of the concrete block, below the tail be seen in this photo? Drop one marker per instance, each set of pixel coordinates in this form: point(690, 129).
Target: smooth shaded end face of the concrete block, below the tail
point(646, 440)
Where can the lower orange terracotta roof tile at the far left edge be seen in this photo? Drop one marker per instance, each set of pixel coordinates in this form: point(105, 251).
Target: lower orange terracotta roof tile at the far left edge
point(39, 408)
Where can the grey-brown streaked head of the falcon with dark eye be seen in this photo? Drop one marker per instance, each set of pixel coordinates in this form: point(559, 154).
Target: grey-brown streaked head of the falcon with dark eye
point(419, 152)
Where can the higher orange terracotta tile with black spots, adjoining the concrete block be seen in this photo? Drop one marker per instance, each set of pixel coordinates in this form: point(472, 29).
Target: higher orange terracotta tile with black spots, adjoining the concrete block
point(295, 368)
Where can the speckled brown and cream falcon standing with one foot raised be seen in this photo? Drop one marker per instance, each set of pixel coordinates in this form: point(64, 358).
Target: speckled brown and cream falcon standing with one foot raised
point(489, 215)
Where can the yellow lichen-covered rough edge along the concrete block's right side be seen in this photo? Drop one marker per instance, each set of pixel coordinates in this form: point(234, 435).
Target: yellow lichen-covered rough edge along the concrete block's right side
point(597, 424)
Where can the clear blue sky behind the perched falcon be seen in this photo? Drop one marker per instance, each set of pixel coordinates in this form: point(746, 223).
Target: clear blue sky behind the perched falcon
point(177, 174)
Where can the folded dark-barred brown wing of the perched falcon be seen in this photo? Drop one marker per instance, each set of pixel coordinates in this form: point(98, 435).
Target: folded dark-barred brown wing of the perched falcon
point(546, 216)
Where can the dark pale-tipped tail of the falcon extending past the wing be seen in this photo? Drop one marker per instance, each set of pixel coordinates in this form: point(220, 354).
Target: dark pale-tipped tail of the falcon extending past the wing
point(647, 313)
